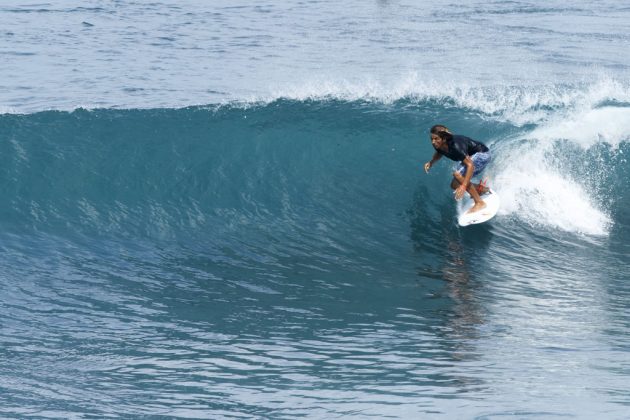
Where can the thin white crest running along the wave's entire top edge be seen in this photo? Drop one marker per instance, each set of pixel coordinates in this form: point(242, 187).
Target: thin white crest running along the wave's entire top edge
point(503, 102)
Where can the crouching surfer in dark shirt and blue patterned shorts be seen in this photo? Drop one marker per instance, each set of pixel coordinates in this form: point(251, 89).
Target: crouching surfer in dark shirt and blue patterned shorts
point(473, 156)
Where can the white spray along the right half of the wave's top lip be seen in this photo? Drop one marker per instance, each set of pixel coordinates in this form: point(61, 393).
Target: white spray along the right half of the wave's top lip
point(519, 105)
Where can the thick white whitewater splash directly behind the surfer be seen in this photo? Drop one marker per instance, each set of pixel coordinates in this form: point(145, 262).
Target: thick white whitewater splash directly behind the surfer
point(532, 186)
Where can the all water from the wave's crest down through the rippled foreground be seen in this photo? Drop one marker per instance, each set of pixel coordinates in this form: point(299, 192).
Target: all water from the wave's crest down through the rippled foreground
point(290, 257)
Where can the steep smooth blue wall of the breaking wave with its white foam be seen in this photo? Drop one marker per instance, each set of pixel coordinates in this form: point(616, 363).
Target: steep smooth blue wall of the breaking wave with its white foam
point(289, 169)
